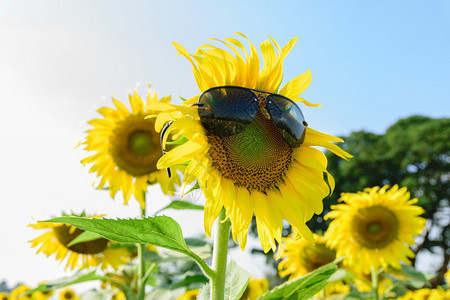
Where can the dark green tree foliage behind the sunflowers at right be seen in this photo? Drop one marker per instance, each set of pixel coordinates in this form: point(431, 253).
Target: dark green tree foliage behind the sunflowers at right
point(414, 152)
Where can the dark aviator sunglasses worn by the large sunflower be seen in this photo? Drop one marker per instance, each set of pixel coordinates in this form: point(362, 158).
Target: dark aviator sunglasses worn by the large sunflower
point(228, 110)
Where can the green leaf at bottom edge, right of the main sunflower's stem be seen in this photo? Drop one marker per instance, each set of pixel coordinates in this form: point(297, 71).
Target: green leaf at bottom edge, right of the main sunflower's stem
point(304, 287)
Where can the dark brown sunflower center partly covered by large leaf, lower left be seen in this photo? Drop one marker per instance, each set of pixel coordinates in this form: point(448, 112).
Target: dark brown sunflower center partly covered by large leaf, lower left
point(65, 234)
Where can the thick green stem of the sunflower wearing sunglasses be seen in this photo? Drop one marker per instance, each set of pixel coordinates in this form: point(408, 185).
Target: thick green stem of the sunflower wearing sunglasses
point(220, 253)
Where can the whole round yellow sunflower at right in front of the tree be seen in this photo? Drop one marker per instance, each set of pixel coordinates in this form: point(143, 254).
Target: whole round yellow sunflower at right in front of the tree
point(375, 228)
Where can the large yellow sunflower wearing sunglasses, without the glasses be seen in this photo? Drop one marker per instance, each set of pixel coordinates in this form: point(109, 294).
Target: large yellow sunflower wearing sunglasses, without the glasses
point(255, 171)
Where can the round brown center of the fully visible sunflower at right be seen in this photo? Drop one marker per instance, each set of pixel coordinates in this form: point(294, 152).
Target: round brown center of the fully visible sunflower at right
point(375, 227)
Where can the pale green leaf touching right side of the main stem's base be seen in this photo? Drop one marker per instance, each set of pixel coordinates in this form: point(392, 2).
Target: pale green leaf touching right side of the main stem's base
point(236, 280)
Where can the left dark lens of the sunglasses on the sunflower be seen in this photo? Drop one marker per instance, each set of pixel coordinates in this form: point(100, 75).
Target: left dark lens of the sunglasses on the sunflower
point(227, 111)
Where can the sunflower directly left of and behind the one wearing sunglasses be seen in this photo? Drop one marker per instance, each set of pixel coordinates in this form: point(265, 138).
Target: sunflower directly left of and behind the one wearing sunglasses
point(126, 148)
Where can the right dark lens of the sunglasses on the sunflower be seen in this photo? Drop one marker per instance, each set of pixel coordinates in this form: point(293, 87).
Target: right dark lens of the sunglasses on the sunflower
point(288, 118)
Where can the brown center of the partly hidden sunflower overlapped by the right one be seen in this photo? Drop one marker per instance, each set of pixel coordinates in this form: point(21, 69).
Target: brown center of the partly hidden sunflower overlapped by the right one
point(315, 256)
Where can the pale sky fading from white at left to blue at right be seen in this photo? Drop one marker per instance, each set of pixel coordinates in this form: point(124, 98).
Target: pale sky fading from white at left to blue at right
point(372, 63)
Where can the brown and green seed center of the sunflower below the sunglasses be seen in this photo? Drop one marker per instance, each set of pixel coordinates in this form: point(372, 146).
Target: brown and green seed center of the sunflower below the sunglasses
point(256, 158)
